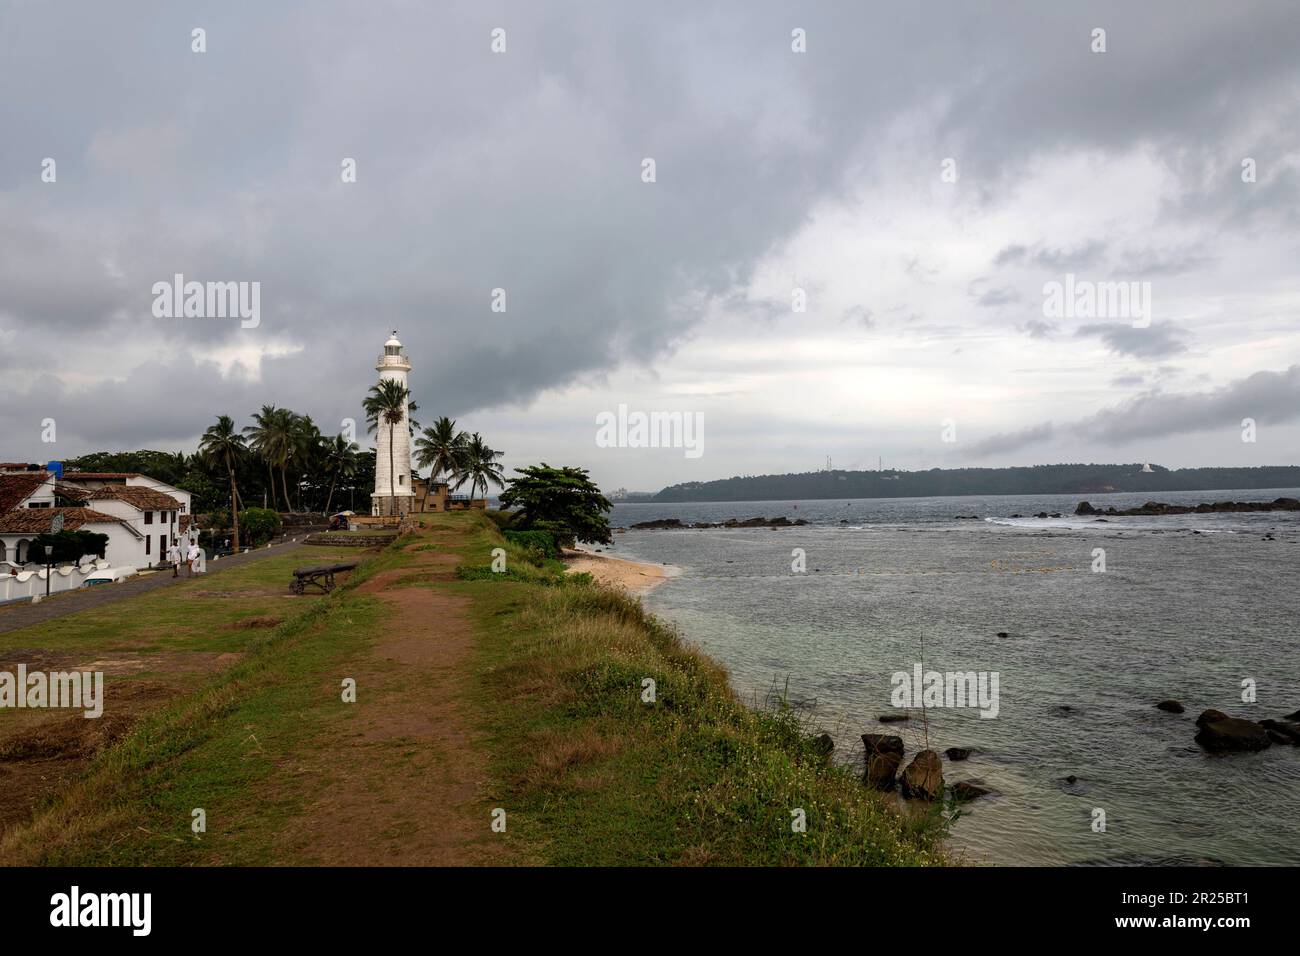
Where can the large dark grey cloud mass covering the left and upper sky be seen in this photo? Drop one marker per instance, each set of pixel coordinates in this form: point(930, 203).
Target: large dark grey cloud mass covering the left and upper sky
point(522, 171)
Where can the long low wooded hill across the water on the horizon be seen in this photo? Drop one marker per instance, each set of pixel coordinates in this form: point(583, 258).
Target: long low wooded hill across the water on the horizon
point(1039, 479)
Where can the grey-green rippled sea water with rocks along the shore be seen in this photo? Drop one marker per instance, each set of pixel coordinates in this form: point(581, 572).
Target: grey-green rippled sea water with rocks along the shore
point(1193, 608)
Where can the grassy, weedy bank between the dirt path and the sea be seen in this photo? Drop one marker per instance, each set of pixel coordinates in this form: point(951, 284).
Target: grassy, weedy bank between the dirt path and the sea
point(593, 775)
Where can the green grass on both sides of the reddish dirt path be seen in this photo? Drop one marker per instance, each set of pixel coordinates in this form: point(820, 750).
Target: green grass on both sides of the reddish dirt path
point(590, 772)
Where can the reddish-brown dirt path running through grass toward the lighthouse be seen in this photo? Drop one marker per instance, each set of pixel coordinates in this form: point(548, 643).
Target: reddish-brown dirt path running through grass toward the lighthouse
point(402, 781)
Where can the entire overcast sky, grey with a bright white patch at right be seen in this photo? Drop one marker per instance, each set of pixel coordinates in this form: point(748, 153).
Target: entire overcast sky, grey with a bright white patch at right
point(918, 175)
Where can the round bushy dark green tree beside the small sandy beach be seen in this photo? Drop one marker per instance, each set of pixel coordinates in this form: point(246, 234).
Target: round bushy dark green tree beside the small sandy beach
point(564, 501)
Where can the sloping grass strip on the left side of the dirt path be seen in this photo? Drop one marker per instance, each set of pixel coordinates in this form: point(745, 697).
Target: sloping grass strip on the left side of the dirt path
point(224, 749)
